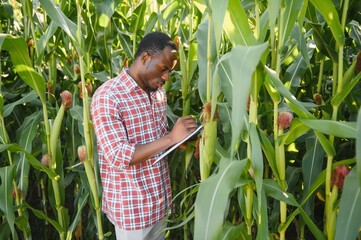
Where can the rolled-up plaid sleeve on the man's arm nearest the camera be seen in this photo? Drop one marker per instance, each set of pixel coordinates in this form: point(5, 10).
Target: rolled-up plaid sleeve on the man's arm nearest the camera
point(110, 132)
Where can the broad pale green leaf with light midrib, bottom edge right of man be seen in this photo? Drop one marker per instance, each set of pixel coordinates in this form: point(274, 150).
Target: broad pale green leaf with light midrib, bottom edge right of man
point(212, 199)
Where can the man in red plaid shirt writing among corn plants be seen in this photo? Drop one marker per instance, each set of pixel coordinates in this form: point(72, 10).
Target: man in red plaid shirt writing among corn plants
point(130, 123)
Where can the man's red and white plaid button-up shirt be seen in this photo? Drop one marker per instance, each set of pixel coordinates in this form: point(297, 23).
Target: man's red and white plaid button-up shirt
point(138, 196)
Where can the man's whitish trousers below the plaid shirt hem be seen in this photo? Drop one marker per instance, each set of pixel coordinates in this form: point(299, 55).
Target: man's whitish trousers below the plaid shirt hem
point(154, 232)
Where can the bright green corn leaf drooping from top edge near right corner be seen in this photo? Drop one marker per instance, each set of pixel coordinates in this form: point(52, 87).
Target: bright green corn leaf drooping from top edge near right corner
point(329, 13)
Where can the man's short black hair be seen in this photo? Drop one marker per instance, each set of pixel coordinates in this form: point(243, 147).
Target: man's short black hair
point(155, 42)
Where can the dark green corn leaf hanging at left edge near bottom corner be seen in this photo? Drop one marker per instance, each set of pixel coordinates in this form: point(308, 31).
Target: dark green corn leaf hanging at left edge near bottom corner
point(6, 195)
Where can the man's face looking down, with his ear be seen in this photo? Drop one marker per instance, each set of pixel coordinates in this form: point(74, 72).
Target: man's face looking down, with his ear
point(156, 69)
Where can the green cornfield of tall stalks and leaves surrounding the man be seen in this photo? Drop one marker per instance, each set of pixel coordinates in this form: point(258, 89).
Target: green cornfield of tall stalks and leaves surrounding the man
point(276, 85)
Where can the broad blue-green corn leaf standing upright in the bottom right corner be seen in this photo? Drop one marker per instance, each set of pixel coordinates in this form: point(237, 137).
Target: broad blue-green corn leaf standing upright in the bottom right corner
point(349, 221)
